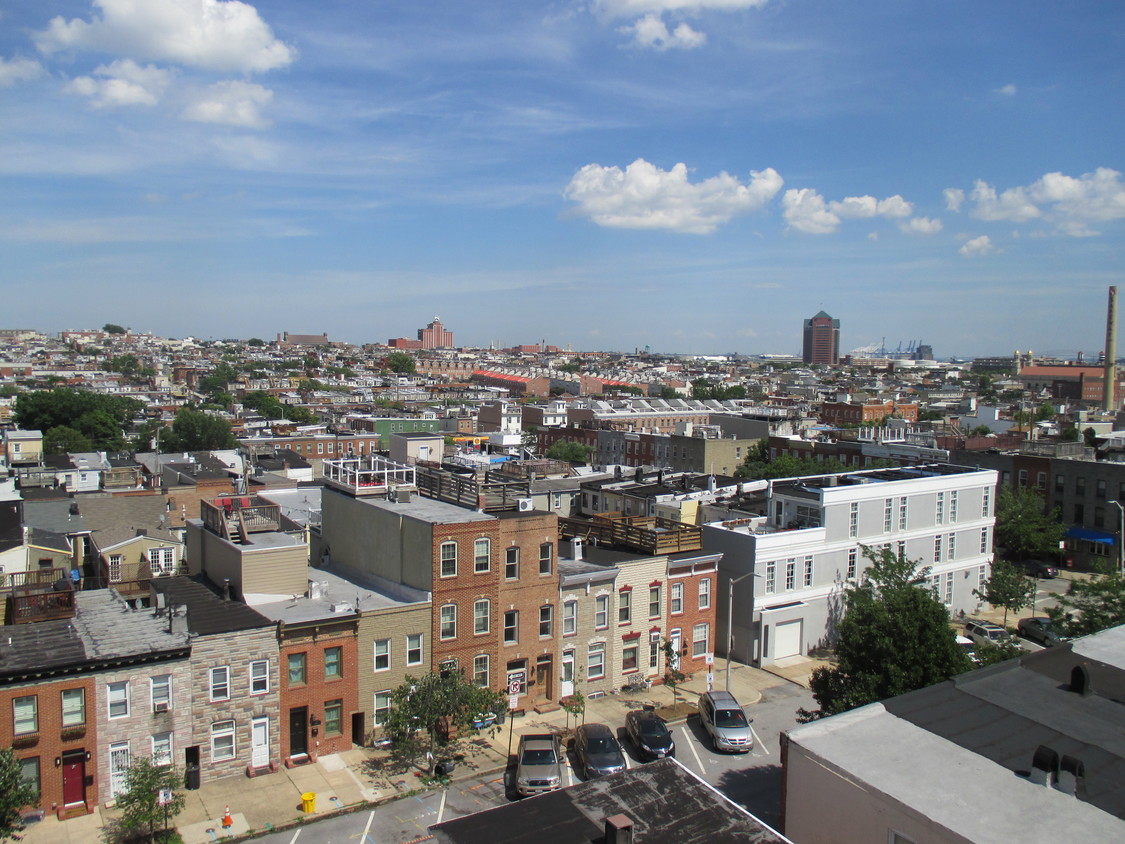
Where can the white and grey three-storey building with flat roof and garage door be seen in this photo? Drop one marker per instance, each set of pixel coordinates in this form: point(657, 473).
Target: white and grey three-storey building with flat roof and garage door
point(806, 551)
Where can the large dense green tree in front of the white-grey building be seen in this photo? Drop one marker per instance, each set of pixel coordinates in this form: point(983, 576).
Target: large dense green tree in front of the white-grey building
point(894, 639)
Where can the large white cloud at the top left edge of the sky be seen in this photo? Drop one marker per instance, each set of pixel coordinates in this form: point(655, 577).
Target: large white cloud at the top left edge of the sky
point(223, 37)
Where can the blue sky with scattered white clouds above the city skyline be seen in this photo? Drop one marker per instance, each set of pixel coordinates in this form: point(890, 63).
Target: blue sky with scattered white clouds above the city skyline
point(691, 176)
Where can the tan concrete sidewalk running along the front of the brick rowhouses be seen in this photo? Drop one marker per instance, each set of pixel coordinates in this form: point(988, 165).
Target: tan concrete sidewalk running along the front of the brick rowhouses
point(365, 776)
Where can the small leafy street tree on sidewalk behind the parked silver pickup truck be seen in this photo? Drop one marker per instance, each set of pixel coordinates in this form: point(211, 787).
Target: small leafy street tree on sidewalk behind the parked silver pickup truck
point(434, 702)
